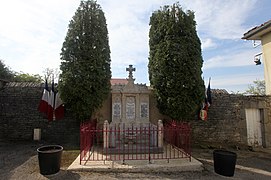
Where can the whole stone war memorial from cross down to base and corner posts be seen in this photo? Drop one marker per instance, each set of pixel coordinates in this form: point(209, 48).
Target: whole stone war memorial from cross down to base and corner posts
point(130, 129)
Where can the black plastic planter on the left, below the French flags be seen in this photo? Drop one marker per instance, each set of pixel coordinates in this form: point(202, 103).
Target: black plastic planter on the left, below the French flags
point(49, 159)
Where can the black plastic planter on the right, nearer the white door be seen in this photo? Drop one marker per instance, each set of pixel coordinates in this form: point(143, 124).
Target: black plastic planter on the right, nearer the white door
point(224, 162)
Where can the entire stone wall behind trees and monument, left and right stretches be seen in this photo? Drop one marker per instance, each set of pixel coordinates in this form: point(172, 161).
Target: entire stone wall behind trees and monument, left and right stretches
point(226, 122)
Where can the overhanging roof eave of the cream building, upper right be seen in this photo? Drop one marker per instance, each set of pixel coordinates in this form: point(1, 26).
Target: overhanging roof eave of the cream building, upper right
point(257, 32)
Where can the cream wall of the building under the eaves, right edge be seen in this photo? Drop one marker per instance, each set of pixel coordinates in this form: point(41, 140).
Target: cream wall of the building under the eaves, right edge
point(266, 46)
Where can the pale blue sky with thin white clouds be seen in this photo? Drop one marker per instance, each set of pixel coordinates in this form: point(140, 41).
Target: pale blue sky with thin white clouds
point(32, 33)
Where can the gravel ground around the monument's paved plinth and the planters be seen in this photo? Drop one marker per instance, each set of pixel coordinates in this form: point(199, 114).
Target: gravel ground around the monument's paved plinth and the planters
point(20, 161)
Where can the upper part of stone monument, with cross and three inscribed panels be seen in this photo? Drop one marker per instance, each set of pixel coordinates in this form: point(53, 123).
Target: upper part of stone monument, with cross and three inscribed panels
point(130, 102)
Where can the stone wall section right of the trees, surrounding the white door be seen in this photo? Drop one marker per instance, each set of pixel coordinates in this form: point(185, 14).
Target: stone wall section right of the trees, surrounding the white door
point(226, 122)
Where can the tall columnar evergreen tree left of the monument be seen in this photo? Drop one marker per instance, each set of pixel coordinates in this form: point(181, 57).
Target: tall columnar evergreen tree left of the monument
point(85, 54)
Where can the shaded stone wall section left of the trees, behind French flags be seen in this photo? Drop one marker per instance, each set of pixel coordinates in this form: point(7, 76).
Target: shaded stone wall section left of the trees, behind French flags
point(19, 116)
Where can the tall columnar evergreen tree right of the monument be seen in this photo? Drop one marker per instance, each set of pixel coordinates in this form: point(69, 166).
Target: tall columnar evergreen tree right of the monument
point(175, 62)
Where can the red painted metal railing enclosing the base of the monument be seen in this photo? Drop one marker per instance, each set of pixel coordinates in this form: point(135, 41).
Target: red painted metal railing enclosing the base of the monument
point(136, 142)
